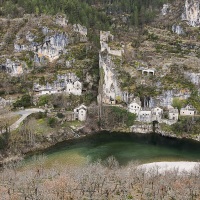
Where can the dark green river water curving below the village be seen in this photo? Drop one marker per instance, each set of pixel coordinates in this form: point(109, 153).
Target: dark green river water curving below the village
point(124, 147)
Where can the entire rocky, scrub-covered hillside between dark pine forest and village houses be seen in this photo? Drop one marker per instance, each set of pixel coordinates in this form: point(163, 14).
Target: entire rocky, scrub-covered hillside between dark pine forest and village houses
point(156, 62)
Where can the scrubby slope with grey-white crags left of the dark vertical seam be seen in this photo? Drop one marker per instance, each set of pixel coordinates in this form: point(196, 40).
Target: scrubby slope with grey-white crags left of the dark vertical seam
point(36, 49)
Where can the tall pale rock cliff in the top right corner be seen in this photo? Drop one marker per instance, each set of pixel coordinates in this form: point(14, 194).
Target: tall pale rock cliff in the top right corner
point(192, 12)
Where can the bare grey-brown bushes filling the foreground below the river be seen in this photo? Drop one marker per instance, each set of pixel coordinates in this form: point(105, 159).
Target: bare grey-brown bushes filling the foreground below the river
point(98, 181)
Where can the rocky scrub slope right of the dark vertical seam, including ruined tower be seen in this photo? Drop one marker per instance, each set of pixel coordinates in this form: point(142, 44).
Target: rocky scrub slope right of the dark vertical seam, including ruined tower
point(158, 64)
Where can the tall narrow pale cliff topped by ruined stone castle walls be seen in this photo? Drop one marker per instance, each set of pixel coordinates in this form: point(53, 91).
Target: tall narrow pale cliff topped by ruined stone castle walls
point(110, 59)
